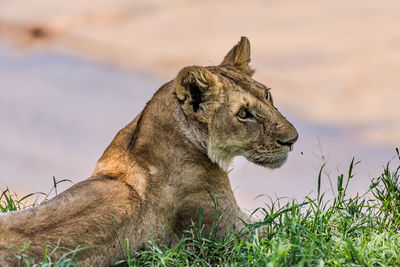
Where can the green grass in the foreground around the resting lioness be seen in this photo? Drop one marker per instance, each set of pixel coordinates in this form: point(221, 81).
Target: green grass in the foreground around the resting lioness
point(361, 230)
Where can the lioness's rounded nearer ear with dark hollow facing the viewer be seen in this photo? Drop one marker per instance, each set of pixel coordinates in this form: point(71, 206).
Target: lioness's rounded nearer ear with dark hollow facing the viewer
point(197, 85)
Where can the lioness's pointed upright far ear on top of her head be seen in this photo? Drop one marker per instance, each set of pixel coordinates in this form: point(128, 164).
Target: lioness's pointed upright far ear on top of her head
point(239, 56)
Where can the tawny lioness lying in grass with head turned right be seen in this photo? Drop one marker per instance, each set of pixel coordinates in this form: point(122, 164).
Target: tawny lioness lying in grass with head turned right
point(163, 166)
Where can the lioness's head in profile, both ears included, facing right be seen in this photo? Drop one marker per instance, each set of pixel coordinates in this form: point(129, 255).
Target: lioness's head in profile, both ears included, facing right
point(230, 114)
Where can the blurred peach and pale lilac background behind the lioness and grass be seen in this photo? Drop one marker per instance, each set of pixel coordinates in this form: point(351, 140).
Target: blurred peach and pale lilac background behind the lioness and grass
point(72, 73)
